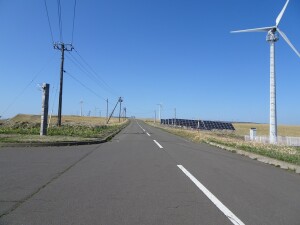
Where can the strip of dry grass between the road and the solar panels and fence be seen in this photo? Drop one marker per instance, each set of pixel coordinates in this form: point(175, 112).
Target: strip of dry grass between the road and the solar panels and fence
point(236, 140)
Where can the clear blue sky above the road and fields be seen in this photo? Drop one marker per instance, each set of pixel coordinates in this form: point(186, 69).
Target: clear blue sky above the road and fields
point(179, 53)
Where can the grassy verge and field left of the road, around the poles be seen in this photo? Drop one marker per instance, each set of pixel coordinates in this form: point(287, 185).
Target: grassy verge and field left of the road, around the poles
point(26, 128)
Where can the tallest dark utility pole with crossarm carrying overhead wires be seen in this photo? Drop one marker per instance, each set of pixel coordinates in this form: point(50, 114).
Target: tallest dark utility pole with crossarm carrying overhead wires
point(62, 47)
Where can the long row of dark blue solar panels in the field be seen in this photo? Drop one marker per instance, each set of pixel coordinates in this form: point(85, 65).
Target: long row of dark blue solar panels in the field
point(199, 124)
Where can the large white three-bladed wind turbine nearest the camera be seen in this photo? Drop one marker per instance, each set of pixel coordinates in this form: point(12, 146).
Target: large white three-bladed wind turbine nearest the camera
point(272, 37)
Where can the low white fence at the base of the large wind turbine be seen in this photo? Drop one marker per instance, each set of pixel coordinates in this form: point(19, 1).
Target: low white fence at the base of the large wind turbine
point(289, 141)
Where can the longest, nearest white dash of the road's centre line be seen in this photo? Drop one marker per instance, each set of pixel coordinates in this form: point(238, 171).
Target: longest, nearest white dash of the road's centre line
point(216, 201)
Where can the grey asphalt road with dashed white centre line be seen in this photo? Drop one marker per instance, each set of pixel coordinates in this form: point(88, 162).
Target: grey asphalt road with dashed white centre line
point(143, 176)
